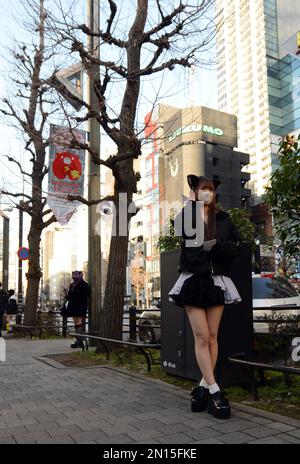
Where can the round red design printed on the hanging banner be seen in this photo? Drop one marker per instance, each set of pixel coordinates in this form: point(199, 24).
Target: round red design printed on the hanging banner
point(67, 164)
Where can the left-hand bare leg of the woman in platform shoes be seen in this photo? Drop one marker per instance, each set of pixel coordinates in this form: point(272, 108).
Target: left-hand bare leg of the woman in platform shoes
point(198, 321)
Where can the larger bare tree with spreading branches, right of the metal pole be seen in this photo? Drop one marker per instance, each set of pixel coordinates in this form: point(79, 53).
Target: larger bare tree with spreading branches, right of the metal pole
point(161, 37)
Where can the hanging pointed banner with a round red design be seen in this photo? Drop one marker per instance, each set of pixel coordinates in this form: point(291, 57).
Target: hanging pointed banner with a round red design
point(66, 172)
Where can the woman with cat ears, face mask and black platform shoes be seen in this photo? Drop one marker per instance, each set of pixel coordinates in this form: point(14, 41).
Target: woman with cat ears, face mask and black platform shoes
point(210, 244)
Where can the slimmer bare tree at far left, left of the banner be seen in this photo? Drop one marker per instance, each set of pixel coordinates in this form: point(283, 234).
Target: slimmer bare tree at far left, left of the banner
point(30, 111)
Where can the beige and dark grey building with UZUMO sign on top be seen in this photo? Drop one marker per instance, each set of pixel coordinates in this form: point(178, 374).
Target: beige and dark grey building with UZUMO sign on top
point(201, 141)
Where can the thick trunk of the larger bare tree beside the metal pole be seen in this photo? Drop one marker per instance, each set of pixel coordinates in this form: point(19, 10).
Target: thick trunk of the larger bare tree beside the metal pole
point(125, 182)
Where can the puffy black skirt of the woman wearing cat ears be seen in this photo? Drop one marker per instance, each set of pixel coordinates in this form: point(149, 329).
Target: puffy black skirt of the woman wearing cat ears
point(200, 291)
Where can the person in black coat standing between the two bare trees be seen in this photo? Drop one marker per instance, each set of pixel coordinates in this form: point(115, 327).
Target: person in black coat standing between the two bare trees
point(77, 305)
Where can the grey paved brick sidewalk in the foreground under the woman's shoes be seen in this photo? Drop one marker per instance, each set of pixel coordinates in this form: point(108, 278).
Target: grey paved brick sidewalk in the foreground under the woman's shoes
point(48, 403)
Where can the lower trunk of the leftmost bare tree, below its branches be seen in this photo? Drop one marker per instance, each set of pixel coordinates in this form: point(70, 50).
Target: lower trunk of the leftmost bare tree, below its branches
point(33, 276)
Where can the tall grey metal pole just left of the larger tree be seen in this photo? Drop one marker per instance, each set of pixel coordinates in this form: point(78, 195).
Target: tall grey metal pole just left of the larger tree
point(94, 262)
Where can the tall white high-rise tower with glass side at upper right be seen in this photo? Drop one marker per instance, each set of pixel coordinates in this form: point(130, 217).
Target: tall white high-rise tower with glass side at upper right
point(258, 79)
